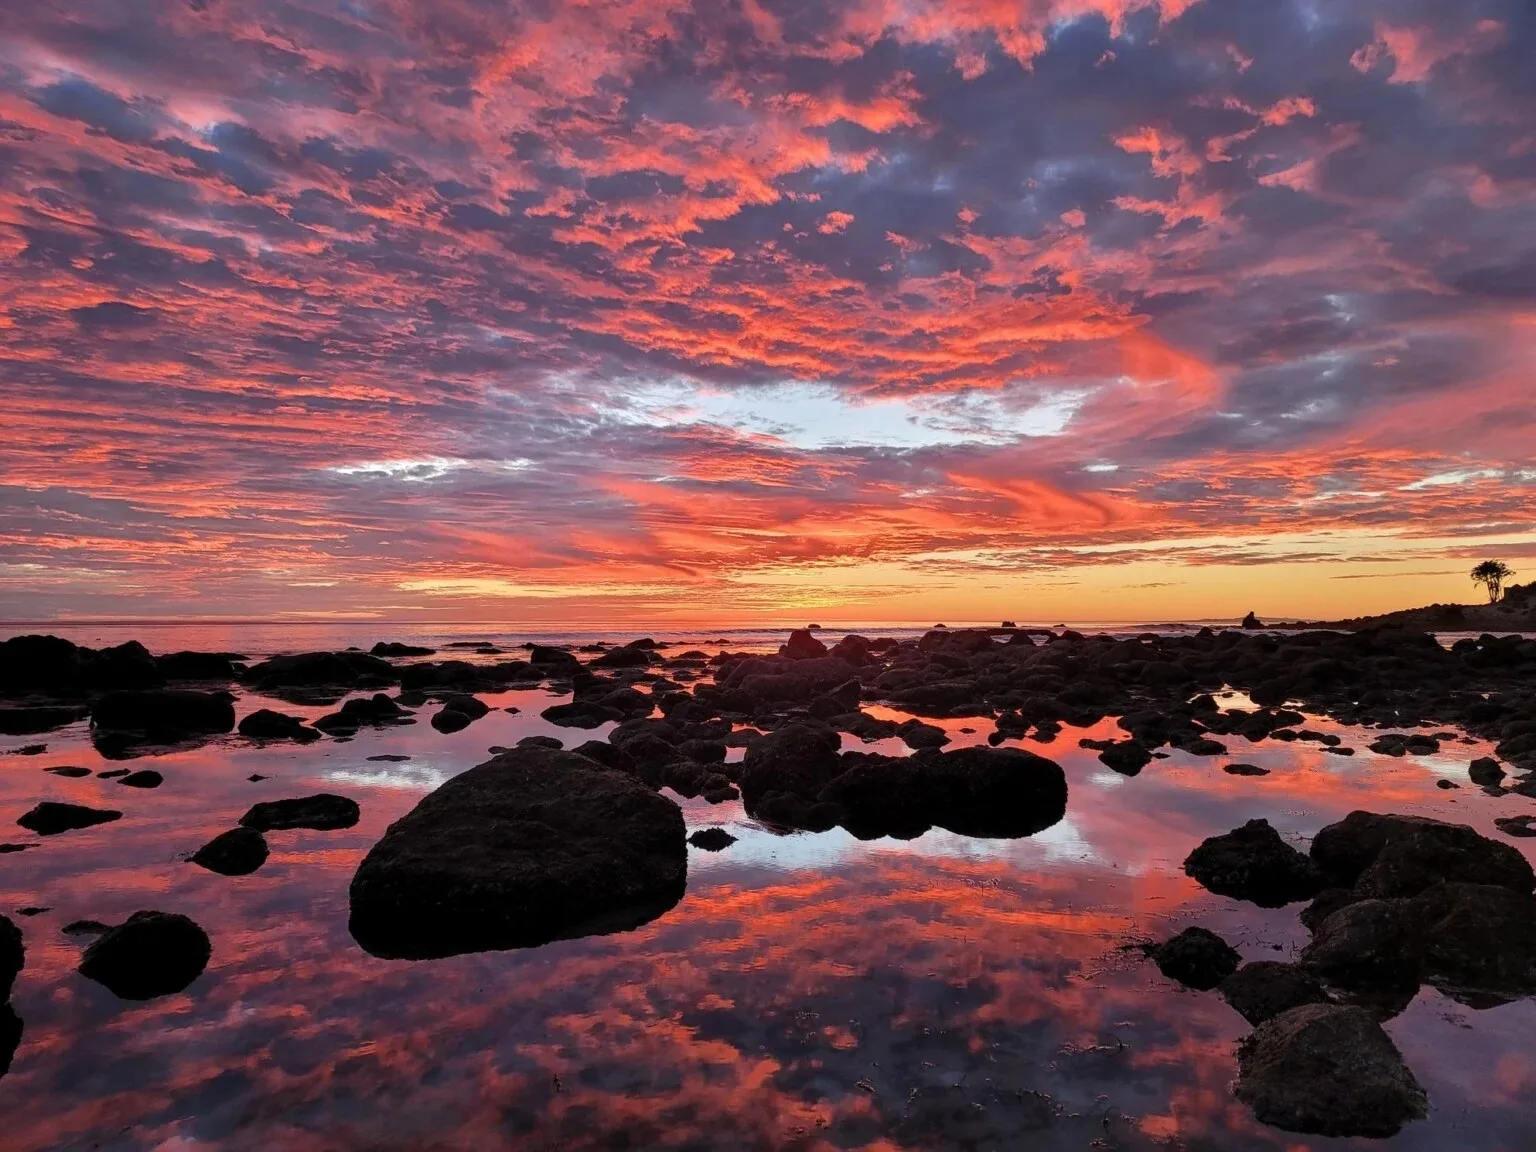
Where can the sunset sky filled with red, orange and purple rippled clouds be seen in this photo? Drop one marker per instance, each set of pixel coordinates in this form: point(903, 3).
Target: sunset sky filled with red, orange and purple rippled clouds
point(764, 311)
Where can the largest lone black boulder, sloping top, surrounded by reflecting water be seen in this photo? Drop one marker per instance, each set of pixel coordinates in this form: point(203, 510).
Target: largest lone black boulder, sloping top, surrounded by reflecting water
point(531, 847)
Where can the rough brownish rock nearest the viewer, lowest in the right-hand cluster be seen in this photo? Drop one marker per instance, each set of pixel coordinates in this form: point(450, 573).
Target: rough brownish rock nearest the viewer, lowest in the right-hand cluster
point(1328, 1070)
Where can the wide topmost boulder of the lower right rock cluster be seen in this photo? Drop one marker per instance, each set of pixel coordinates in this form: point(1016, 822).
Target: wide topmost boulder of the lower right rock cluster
point(1400, 856)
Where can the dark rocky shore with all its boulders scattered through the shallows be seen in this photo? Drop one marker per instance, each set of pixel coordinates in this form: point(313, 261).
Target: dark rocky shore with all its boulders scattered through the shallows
point(545, 844)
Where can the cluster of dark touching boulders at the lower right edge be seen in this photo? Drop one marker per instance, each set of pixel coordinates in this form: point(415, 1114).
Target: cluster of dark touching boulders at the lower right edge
point(1397, 902)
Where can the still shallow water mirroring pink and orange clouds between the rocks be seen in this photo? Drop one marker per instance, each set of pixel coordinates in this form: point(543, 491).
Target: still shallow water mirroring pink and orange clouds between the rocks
point(810, 991)
